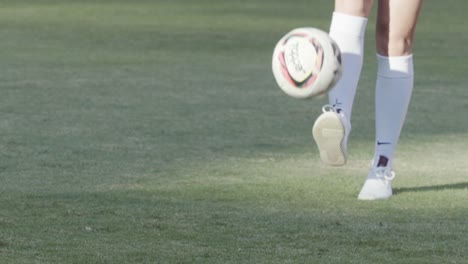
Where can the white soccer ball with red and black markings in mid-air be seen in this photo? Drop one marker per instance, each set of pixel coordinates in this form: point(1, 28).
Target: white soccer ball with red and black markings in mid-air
point(306, 63)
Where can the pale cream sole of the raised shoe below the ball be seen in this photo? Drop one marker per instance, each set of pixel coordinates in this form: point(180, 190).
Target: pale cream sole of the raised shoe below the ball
point(329, 132)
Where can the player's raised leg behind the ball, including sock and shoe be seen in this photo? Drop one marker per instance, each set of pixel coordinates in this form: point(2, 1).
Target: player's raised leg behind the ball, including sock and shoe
point(332, 128)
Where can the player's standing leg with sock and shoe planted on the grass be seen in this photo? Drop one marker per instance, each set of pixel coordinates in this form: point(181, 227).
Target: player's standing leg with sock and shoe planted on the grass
point(396, 24)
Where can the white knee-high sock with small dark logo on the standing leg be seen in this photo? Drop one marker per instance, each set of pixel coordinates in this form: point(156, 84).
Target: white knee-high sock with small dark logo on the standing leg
point(394, 87)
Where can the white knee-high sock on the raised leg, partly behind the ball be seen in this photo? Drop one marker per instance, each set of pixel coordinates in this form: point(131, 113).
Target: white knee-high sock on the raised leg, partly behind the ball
point(348, 33)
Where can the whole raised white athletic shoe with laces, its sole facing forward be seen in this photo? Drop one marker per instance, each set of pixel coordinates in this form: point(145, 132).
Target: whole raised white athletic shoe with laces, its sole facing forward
point(331, 131)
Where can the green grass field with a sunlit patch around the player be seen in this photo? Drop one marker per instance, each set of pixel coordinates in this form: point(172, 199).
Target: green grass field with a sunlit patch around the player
point(153, 132)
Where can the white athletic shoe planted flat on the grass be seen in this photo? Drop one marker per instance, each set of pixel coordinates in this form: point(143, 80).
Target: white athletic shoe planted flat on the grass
point(378, 184)
